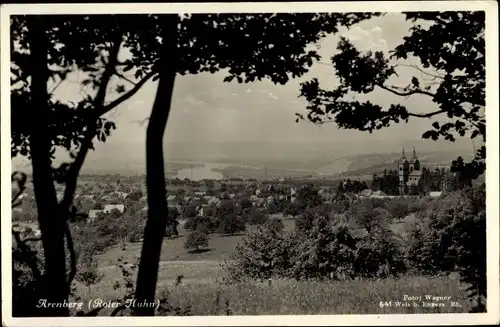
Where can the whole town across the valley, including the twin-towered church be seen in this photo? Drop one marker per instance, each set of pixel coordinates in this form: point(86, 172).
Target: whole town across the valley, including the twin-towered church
point(101, 194)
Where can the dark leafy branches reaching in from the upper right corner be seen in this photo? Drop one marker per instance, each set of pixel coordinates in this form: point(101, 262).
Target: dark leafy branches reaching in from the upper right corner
point(452, 75)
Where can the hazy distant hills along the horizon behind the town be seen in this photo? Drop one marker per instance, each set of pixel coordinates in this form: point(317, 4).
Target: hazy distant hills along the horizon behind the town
point(289, 158)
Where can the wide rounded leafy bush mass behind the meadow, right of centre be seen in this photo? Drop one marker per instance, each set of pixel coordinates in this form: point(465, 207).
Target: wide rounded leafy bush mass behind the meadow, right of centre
point(329, 248)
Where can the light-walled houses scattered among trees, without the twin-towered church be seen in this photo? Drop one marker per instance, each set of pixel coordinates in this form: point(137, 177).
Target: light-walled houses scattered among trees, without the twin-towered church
point(203, 200)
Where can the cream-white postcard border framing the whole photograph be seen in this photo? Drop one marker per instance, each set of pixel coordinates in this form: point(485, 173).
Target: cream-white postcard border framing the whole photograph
point(492, 175)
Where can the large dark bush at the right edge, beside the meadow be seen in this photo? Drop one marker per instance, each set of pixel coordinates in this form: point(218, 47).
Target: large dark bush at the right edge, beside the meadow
point(451, 236)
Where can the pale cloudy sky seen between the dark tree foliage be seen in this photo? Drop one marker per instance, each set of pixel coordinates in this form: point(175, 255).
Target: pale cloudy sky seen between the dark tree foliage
point(205, 109)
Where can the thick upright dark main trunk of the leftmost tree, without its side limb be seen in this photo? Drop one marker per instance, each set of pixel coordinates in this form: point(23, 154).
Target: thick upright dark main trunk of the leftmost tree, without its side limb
point(55, 288)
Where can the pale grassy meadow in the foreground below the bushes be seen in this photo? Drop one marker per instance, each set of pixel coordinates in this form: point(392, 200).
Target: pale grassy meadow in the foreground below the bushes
point(201, 291)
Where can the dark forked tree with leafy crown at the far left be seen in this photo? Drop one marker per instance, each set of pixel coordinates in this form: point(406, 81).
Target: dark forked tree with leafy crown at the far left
point(45, 48)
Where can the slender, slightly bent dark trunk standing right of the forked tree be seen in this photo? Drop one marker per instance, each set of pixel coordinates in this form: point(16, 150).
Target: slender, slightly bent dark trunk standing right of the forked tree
point(156, 223)
